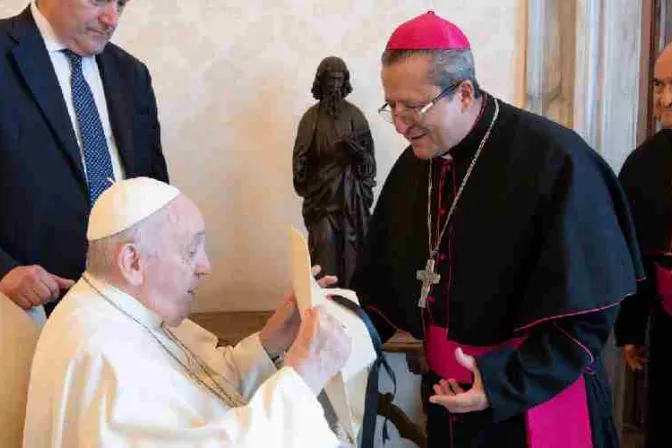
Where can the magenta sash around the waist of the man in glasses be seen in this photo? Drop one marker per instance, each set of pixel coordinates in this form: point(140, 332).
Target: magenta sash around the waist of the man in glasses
point(561, 422)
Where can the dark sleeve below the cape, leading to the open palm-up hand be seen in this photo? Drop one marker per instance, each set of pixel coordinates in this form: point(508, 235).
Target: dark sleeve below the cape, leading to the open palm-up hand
point(552, 357)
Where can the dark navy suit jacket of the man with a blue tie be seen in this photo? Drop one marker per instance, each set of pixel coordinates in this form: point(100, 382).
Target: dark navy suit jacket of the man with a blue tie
point(44, 203)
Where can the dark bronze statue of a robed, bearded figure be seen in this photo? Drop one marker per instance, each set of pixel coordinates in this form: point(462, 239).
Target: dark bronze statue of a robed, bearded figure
point(334, 171)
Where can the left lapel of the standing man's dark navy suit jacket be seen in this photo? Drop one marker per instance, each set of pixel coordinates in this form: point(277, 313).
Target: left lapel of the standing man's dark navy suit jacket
point(35, 66)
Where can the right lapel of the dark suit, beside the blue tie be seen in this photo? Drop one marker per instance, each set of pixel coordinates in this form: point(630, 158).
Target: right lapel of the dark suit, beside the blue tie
point(118, 107)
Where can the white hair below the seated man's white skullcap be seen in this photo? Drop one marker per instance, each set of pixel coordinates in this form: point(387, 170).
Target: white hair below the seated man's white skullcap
point(146, 235)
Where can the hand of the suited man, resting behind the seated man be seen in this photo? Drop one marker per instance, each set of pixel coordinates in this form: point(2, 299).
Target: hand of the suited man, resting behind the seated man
point(30, 286)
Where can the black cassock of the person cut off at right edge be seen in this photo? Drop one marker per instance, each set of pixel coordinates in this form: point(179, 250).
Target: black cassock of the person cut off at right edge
point(647, 180)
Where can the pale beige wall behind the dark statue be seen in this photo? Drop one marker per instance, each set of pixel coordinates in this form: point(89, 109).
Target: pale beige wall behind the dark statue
point(232, 79)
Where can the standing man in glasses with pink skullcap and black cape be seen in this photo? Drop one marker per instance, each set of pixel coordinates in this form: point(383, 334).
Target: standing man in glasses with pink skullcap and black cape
point(504, 242)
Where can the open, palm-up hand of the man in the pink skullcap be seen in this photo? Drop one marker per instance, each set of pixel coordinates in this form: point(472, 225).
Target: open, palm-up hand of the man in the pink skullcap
point(450, 395)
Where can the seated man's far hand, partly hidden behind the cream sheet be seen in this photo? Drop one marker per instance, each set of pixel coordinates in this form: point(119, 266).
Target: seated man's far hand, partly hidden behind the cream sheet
point(282, 327)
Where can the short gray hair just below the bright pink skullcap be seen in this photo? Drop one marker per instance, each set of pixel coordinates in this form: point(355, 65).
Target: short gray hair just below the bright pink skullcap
point(449, 67)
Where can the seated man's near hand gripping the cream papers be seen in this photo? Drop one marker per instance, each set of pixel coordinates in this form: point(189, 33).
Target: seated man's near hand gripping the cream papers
point(321, 349)
